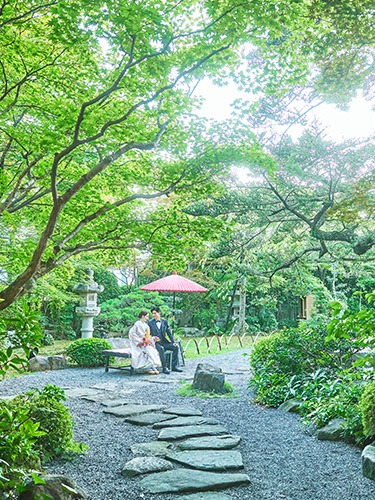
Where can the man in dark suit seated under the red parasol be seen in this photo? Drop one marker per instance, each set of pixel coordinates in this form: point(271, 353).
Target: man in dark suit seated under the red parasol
point(159, 329)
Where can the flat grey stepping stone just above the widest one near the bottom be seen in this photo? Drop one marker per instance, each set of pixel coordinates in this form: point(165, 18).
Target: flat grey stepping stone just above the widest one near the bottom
point(213, 460)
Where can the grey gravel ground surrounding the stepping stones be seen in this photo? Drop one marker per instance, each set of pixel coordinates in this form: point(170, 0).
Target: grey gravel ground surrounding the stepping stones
point(281, 460)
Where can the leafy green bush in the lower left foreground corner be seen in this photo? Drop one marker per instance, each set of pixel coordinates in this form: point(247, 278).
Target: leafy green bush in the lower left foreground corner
point(32, 426)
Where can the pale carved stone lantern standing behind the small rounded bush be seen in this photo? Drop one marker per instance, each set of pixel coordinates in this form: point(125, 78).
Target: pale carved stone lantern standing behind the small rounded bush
point(88, 309)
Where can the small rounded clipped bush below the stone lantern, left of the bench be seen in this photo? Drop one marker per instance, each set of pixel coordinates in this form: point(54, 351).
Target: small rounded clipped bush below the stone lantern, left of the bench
point(88, 352)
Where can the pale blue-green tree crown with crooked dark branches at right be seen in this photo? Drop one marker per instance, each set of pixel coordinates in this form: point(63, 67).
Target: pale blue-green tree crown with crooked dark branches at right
point(304, 200)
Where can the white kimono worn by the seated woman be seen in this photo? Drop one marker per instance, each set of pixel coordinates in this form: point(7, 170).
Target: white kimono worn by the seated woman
point(143, 357)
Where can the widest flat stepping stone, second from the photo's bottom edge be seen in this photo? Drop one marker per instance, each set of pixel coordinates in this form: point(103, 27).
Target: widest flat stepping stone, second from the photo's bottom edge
point(180, 480)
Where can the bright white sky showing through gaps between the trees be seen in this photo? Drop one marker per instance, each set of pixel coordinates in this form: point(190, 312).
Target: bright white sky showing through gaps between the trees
point(357, 122)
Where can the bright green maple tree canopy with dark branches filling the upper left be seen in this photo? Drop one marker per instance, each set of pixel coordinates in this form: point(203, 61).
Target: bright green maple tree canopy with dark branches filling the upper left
point(100, 144)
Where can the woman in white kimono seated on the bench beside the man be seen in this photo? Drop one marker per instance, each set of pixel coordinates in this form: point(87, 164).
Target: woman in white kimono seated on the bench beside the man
point(142, 345)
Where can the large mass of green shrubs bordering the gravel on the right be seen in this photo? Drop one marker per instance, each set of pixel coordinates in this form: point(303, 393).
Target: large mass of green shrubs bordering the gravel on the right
point(319, 373)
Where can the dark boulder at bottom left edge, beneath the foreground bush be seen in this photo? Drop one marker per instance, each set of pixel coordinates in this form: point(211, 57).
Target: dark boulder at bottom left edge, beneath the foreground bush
point(55, 486)
